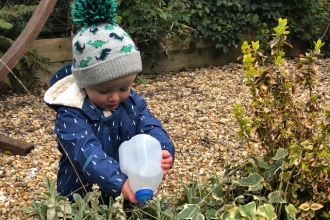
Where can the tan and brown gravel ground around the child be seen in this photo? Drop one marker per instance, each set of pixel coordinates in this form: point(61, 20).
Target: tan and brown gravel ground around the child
point(195, 106)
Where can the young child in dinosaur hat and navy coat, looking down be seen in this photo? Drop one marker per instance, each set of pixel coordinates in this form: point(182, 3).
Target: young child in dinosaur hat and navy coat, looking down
point(96, 107)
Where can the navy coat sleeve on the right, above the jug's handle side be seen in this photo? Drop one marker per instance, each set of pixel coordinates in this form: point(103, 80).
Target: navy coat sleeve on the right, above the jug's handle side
point(148, 124)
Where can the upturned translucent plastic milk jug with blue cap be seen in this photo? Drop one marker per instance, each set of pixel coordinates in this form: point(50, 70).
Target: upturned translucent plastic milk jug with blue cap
point(140, 159)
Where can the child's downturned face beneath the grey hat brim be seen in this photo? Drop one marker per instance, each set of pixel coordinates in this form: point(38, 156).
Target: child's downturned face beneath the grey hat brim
point(110, 94)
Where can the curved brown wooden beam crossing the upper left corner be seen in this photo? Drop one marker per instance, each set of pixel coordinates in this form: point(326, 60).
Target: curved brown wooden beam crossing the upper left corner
point(28, 35)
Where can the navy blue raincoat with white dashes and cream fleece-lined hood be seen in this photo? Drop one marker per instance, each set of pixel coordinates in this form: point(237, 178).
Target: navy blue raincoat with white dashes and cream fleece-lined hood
point(91, 139)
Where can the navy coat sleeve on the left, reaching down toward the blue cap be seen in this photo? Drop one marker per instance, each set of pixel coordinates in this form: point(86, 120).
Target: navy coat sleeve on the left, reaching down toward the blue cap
point(77, 139)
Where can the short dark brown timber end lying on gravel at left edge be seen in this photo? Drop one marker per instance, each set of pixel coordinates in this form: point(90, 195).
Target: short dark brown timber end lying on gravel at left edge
point(14, 146)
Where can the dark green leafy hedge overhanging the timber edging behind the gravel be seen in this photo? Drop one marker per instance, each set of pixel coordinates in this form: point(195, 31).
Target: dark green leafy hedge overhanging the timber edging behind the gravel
point(226, 23)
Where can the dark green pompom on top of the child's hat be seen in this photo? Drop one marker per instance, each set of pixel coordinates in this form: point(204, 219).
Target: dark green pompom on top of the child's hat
point(90, 12)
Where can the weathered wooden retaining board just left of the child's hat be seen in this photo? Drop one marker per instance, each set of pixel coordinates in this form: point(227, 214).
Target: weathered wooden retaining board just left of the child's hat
point(58, 49)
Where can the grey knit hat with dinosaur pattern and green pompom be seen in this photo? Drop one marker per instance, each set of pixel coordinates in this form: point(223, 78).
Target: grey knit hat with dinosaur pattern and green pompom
point(102, 50)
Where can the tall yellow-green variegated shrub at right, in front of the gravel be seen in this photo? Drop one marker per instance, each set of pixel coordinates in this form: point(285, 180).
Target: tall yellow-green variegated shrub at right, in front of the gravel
point(295, 168)
